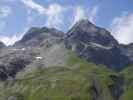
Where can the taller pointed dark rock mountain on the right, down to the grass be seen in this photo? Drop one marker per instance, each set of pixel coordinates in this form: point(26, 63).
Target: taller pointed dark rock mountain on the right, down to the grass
point(96, 45)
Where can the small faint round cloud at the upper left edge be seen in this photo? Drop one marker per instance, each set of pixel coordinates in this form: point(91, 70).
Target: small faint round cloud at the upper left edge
point(5, 11)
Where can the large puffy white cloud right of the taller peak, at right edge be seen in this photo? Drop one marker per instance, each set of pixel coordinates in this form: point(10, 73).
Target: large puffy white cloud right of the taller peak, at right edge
point(122, 28)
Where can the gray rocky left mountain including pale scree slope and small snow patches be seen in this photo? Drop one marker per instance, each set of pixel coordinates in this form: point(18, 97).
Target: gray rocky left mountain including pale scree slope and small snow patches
point(40, 46)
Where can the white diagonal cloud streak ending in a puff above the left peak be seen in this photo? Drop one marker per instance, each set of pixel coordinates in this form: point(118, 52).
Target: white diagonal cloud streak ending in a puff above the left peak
point(53, 12)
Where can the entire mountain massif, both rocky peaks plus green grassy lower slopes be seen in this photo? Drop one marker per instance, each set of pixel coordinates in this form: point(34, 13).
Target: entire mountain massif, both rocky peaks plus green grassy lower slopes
point(86, 63)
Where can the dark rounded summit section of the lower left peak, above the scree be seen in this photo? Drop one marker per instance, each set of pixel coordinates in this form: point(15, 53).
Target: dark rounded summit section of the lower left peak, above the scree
point(35, 36)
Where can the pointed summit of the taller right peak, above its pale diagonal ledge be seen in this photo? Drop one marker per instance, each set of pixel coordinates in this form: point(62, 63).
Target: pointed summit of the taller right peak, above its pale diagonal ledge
point(87, 32)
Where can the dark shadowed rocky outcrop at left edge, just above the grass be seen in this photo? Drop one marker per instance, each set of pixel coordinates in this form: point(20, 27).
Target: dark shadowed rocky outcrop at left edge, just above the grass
point(11, 63)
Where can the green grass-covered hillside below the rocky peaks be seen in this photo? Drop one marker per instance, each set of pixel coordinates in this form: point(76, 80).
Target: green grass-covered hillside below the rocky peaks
point(78, 80)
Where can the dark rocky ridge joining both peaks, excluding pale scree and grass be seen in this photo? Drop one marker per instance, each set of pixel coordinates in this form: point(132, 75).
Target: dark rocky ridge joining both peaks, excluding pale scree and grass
point(86, 39)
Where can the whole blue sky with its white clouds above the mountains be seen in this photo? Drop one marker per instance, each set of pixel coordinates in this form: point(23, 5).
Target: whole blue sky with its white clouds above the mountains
point(17, 16)
